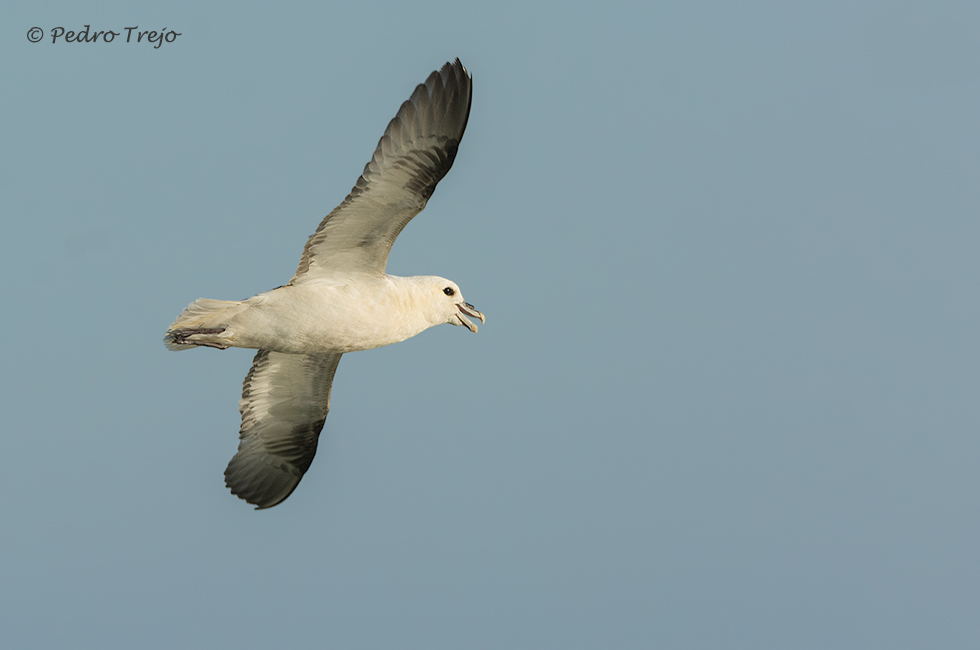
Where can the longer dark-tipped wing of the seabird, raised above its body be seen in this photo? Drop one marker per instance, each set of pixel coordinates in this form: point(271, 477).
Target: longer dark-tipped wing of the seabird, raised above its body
point(416, 151)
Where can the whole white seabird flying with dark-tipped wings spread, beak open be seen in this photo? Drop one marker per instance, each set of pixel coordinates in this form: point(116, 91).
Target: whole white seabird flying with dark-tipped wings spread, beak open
point(340, 300)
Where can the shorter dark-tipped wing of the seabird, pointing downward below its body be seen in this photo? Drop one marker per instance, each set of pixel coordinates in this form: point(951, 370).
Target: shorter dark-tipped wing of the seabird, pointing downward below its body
point(285, 400)
